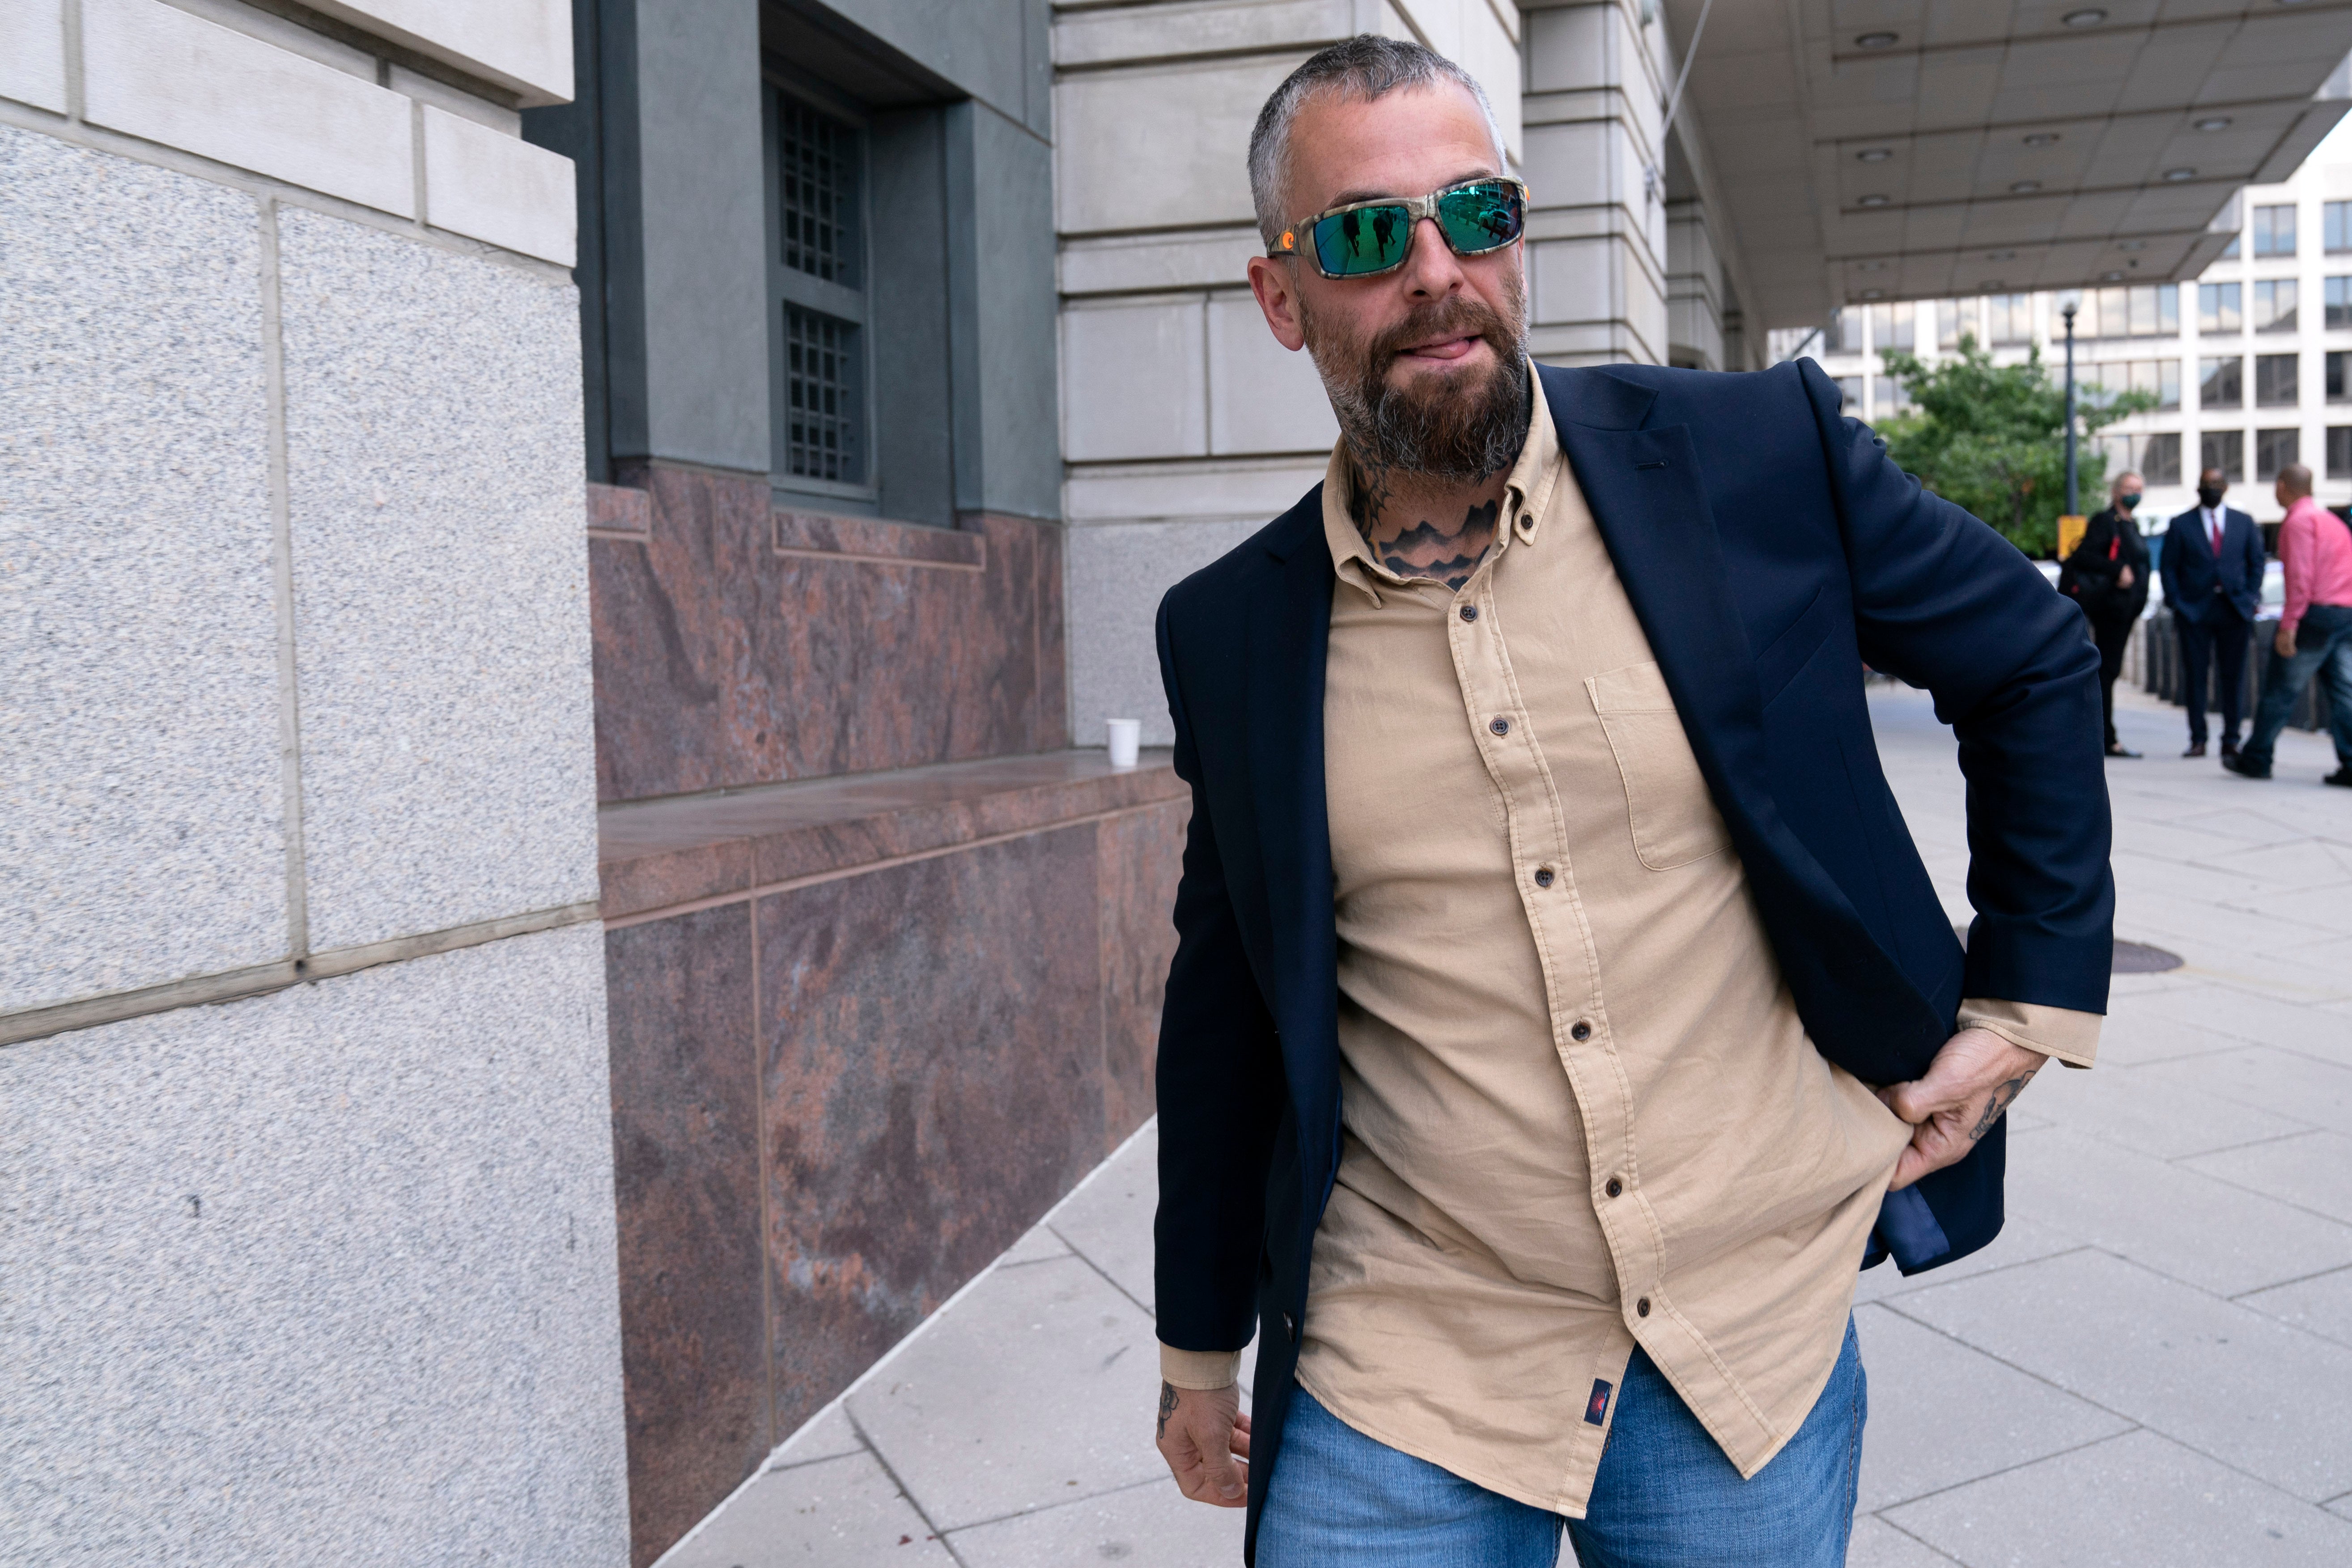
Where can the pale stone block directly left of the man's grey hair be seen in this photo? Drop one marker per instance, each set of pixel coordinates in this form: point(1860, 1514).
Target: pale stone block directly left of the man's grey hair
point(1118, 163)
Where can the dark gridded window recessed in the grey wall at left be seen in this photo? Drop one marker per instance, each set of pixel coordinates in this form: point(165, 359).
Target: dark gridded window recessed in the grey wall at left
point(820, 295)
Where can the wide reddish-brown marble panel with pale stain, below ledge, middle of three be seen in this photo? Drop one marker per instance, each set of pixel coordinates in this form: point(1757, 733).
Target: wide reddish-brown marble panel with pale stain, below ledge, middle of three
point(933, 1080)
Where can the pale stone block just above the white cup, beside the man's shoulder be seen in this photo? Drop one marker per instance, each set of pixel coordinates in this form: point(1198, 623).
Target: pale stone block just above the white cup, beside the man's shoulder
point(1118, 575)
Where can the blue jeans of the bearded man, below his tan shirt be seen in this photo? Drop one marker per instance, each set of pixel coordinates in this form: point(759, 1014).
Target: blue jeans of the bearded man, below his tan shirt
point(1664, 1496)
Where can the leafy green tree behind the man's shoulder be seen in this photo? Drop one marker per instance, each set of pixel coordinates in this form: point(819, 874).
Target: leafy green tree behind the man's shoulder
point(1993, 438)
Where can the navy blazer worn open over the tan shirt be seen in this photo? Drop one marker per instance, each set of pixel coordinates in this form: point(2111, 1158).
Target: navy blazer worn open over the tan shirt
point(1770, 549)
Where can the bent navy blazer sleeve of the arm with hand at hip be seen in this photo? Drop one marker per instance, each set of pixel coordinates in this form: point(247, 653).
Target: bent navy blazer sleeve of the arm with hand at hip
point(1946, 603)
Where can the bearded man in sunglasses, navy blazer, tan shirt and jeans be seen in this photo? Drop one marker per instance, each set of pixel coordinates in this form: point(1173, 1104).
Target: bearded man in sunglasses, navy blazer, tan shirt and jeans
point(1561, 1010)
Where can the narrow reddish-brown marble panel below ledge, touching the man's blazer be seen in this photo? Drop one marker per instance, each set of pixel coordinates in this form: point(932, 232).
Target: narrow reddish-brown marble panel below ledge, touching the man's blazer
point(1140, 855)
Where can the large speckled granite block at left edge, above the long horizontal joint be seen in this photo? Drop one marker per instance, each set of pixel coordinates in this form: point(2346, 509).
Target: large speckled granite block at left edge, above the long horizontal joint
point(142, 796)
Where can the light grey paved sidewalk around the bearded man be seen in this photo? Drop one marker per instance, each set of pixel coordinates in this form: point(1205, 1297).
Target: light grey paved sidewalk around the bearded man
point(2151, 1367)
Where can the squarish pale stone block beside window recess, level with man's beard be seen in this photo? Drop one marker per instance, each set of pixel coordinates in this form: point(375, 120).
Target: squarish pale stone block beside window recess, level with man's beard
point(1135, 382)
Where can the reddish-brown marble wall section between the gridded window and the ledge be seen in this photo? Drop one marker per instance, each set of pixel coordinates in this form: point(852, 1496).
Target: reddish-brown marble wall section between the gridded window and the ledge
point(723, 662)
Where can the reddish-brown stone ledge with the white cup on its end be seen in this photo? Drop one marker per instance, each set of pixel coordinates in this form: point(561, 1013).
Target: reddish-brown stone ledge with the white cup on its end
point(697, 850)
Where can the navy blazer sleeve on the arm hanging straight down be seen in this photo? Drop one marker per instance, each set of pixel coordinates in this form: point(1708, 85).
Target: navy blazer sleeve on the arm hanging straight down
point(1220, 1083)
